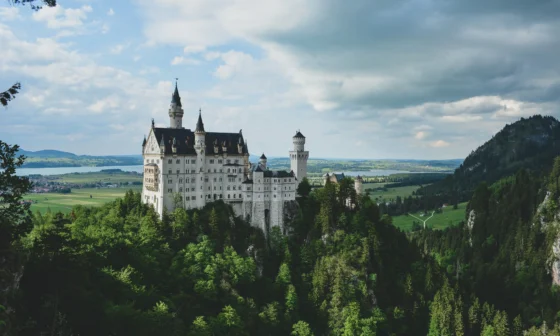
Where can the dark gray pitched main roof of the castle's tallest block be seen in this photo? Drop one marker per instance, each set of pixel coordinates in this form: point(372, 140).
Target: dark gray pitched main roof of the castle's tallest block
point(185, 141)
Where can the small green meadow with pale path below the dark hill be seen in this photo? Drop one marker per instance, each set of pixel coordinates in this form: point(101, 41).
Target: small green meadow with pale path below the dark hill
point(448, 217)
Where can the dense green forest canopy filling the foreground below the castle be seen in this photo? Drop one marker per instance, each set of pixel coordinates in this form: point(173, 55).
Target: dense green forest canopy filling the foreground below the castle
point(342, 268)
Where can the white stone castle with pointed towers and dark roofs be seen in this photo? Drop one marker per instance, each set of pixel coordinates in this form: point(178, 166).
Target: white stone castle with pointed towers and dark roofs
point(190, 169)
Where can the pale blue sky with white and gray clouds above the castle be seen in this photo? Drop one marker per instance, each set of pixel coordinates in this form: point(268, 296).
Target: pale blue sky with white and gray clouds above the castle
point(374, 79)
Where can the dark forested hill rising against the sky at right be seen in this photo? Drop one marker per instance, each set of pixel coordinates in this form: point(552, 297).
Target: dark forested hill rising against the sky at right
point(531, 144)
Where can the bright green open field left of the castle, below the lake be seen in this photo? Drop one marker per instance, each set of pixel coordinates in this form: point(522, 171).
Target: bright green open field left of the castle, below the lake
point(64, 202)
